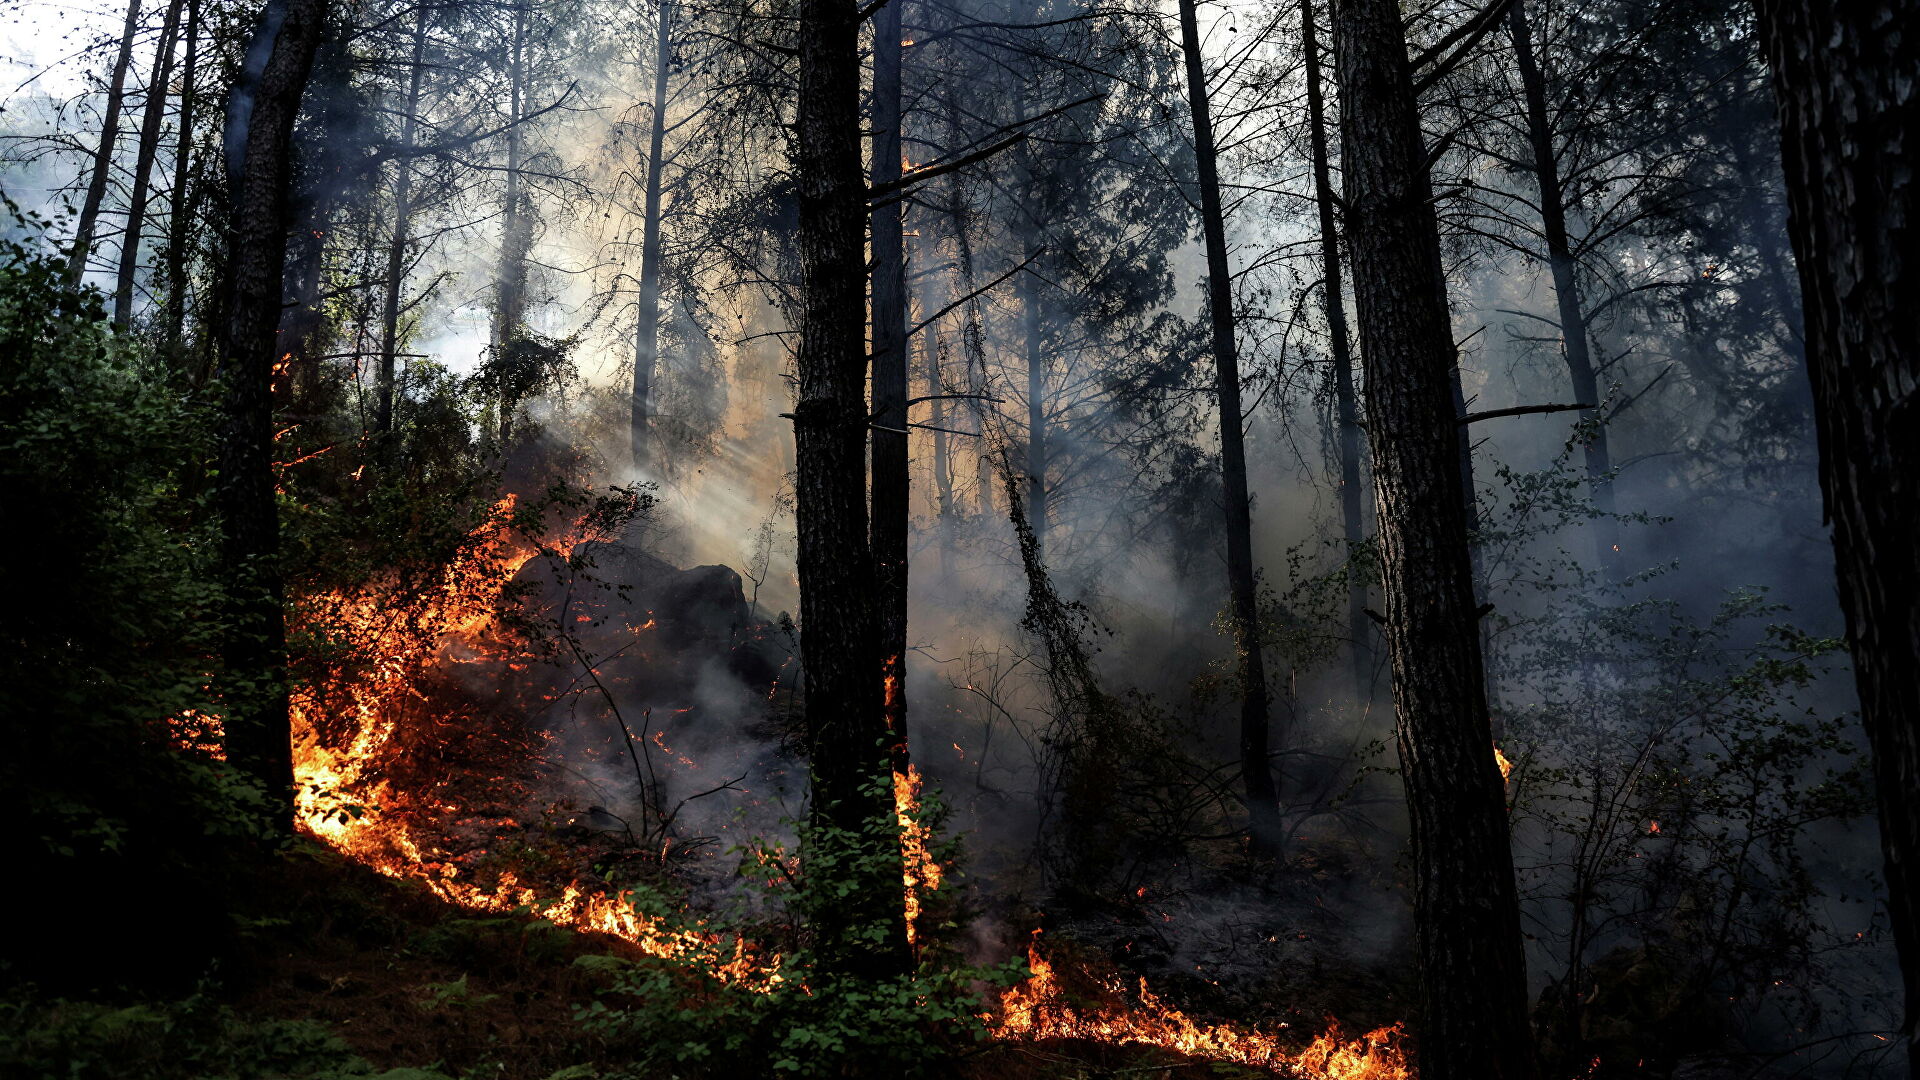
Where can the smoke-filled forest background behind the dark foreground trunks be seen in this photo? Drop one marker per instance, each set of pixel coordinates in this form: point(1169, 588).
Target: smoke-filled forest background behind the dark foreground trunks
point(560, 239)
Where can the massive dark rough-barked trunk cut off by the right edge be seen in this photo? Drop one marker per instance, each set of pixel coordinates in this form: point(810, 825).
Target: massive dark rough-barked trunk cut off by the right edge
point(1850, 132)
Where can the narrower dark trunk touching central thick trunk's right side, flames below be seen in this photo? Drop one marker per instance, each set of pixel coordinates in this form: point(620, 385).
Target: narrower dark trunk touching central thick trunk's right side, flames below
point(890, 378)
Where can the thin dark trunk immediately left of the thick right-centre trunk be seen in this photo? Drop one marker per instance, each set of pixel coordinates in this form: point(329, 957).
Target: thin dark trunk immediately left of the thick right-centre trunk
point(1347, 403)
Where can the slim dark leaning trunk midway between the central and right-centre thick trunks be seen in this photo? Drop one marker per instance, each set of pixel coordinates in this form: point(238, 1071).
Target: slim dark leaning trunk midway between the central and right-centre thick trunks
point(1257, 768)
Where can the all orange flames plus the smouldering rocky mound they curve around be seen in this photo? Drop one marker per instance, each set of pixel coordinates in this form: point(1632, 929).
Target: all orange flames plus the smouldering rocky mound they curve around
point(562, 724)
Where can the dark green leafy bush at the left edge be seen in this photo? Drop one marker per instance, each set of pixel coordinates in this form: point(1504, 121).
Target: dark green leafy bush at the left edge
point(108, 627)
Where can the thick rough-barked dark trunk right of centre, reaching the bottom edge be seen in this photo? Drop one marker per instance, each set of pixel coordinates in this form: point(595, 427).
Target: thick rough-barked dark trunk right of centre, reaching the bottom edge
point(1472, 968)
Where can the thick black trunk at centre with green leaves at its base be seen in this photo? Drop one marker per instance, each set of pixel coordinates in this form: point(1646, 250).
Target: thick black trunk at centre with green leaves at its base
point(855, 862)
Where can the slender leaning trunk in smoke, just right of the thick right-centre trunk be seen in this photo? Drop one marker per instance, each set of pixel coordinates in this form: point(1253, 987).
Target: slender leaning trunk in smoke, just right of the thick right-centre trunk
point(1575, 343)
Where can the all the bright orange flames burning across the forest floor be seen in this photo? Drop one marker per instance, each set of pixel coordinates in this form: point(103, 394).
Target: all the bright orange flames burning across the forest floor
point(348, 800)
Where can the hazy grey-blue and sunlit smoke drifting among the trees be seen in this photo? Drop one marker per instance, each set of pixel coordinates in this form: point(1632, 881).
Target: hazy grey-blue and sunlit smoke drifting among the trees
point(675, 697)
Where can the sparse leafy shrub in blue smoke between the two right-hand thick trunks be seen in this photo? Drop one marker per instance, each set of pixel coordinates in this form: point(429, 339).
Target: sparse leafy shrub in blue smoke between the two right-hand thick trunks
point(1671, 777)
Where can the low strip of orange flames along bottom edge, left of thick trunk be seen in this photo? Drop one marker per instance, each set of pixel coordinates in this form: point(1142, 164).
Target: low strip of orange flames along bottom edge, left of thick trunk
point(1042, 1008)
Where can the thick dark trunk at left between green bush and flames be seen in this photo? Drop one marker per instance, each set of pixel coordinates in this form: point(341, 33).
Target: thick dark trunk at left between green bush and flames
point(260, 134)
